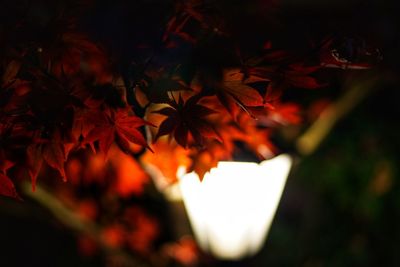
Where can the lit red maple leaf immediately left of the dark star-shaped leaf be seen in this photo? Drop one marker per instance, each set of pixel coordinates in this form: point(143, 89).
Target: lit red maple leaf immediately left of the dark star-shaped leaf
point(117, 126)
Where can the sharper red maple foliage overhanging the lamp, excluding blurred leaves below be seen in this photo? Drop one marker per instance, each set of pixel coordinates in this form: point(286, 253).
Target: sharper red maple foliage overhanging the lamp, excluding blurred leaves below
point(63, 90)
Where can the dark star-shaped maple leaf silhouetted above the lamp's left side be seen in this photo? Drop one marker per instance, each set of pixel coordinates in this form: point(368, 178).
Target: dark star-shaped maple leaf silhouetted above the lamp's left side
point(186, 121)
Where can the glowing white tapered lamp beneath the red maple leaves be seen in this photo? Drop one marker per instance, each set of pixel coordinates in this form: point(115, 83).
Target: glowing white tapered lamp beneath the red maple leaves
point(232, 209)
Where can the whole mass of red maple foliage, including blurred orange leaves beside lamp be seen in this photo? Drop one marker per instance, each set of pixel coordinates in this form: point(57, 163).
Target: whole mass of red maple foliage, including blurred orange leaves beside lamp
point(105, 104)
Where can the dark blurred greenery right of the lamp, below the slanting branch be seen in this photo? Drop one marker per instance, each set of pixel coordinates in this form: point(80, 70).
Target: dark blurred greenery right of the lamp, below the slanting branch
point(341, 206)
